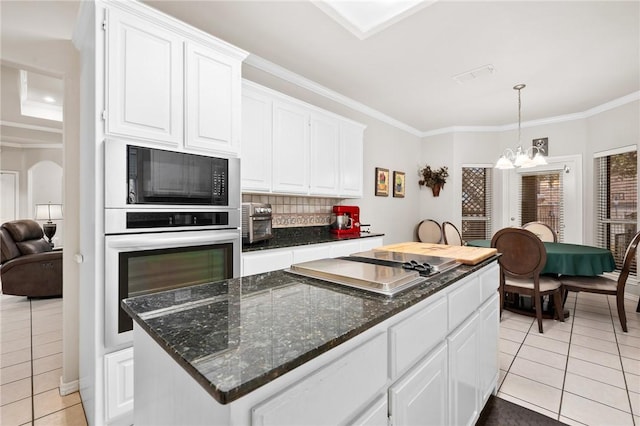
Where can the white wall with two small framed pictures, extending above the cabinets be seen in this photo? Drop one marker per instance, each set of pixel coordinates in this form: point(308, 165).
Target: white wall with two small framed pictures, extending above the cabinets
point(384, 146)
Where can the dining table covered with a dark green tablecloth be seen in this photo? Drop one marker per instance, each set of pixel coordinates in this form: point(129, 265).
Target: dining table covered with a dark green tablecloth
point(570, 259)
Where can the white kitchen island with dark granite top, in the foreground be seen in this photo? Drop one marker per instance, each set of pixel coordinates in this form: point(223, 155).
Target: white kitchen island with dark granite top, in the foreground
point(277, 348)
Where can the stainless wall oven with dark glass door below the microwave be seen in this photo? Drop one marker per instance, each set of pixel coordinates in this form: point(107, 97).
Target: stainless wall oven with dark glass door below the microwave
point(137, 264)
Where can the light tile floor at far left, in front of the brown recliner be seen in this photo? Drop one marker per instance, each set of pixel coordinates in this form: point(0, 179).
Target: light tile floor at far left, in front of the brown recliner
point(31, 365)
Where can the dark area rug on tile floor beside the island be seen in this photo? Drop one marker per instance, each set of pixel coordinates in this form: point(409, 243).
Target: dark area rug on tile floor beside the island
point(501, 412)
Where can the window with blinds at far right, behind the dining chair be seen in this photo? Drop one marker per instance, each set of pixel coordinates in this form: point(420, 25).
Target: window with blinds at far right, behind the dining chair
point(617, 203)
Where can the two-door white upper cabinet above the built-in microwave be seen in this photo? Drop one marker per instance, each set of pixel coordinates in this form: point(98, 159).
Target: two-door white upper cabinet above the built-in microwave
point(170, 83)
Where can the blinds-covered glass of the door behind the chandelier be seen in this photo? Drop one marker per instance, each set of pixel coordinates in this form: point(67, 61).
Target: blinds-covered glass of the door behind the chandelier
point(541, 200)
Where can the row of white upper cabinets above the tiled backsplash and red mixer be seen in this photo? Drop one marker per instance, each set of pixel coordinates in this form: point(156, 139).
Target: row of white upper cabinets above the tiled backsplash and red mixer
point(291, 147)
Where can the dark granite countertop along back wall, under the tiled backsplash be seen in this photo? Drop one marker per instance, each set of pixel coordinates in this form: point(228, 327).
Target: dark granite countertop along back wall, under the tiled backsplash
point(301, 236)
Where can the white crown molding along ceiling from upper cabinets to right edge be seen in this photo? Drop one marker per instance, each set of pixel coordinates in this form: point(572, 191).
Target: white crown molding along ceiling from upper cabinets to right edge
point(284, 74)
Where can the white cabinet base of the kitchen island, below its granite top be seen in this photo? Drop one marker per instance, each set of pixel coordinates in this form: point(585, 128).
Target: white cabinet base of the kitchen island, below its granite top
point(443, 378)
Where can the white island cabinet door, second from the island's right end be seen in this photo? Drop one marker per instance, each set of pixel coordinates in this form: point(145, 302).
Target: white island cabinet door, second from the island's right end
point(463, 373)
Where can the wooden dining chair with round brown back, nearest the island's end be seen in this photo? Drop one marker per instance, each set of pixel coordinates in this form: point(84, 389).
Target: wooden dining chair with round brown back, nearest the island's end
point(522, 258)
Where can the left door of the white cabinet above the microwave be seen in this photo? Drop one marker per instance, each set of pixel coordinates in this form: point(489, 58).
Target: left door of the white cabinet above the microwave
point(145, 79)
